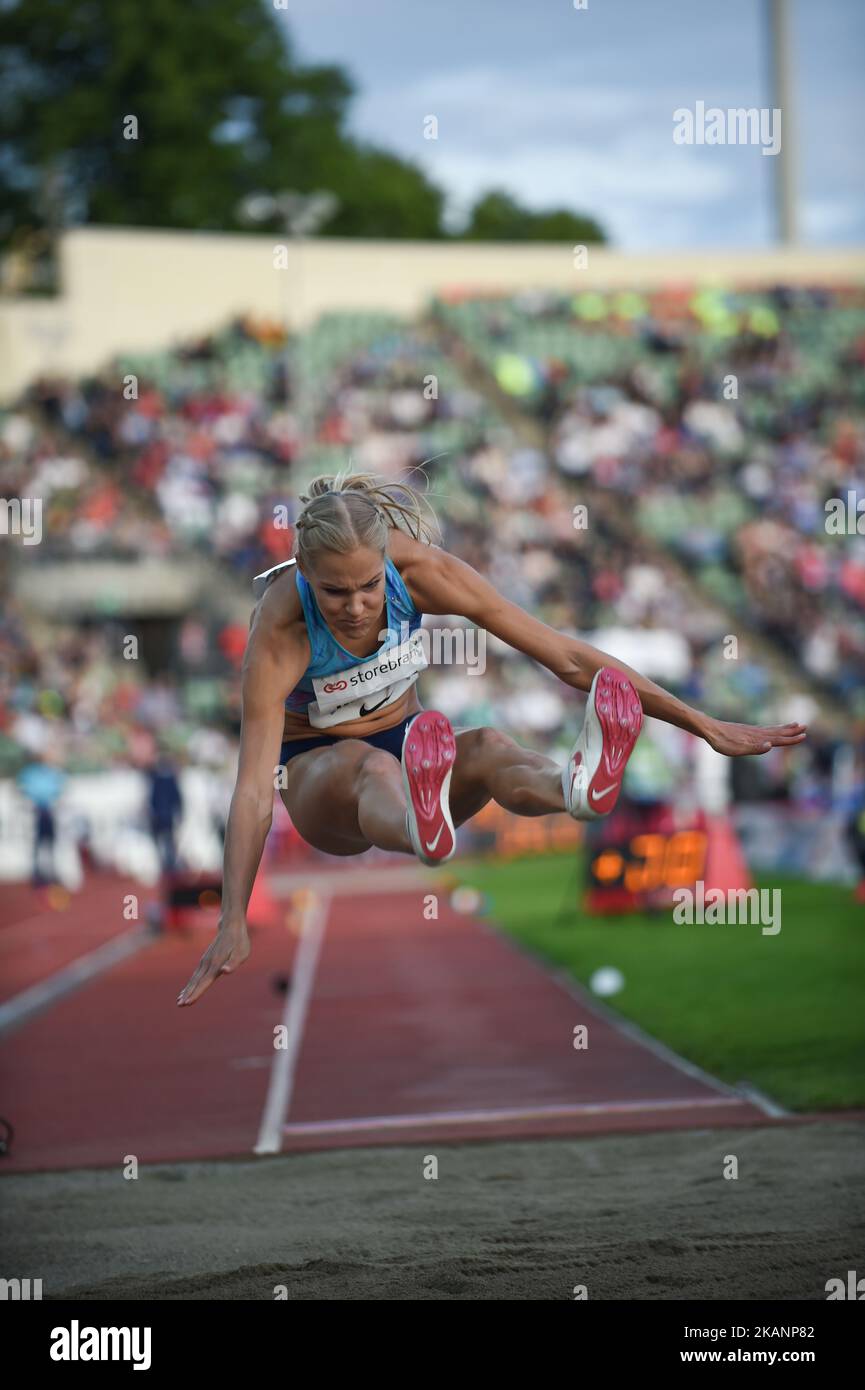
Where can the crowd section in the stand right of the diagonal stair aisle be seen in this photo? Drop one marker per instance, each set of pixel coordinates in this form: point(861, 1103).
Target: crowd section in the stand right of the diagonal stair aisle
point(728, 427)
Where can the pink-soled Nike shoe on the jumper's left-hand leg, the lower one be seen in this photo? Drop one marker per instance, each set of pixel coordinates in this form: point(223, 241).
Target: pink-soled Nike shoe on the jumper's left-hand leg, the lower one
point(429, 751)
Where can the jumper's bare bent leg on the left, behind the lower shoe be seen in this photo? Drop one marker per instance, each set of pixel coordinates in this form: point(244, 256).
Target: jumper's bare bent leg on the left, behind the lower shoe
point(347, 797)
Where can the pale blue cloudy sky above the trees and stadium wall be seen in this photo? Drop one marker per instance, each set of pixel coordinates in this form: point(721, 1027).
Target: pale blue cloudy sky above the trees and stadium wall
point(575, 108)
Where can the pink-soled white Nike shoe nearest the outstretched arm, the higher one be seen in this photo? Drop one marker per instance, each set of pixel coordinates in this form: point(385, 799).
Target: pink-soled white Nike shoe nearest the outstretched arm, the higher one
point(592, 778)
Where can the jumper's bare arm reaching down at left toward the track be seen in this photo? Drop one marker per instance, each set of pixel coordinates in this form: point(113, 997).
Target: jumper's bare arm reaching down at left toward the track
point(277, 654)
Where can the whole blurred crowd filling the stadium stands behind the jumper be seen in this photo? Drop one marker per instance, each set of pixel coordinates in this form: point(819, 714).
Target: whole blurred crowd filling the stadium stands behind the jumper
point(702, 508)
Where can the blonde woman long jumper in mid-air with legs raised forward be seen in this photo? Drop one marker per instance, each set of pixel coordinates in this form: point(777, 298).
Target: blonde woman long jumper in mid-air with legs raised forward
point(332, 717)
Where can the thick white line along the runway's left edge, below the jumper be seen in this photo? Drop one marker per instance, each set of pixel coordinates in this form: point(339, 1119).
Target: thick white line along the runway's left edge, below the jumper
point(294, 1017)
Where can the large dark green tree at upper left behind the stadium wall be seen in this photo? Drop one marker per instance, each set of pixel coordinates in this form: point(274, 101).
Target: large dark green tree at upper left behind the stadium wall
point(169, 113)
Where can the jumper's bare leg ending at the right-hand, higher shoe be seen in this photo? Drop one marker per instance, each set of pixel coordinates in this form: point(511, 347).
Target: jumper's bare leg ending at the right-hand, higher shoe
point(493, 767)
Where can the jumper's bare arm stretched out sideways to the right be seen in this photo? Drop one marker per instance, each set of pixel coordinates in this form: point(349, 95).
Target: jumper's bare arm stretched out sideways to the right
point(443, 584)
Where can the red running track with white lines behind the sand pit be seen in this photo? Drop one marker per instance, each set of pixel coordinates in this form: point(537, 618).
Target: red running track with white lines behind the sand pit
point(400, 1031)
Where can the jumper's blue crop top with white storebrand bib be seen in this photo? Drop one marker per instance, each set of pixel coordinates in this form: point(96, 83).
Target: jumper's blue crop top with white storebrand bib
point(339, 686)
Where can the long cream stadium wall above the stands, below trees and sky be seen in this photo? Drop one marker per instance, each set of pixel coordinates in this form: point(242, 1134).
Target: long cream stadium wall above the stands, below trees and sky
point(140, 290)
